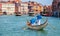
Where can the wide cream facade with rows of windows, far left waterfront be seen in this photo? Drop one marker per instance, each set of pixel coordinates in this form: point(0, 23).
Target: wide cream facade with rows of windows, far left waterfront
point(8, 7)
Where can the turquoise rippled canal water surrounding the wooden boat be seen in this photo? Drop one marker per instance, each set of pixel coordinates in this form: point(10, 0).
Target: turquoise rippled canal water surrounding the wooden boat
point(14, 26)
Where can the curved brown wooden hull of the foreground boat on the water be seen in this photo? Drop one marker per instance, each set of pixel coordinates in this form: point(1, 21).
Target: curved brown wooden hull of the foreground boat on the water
point(37, 27)
